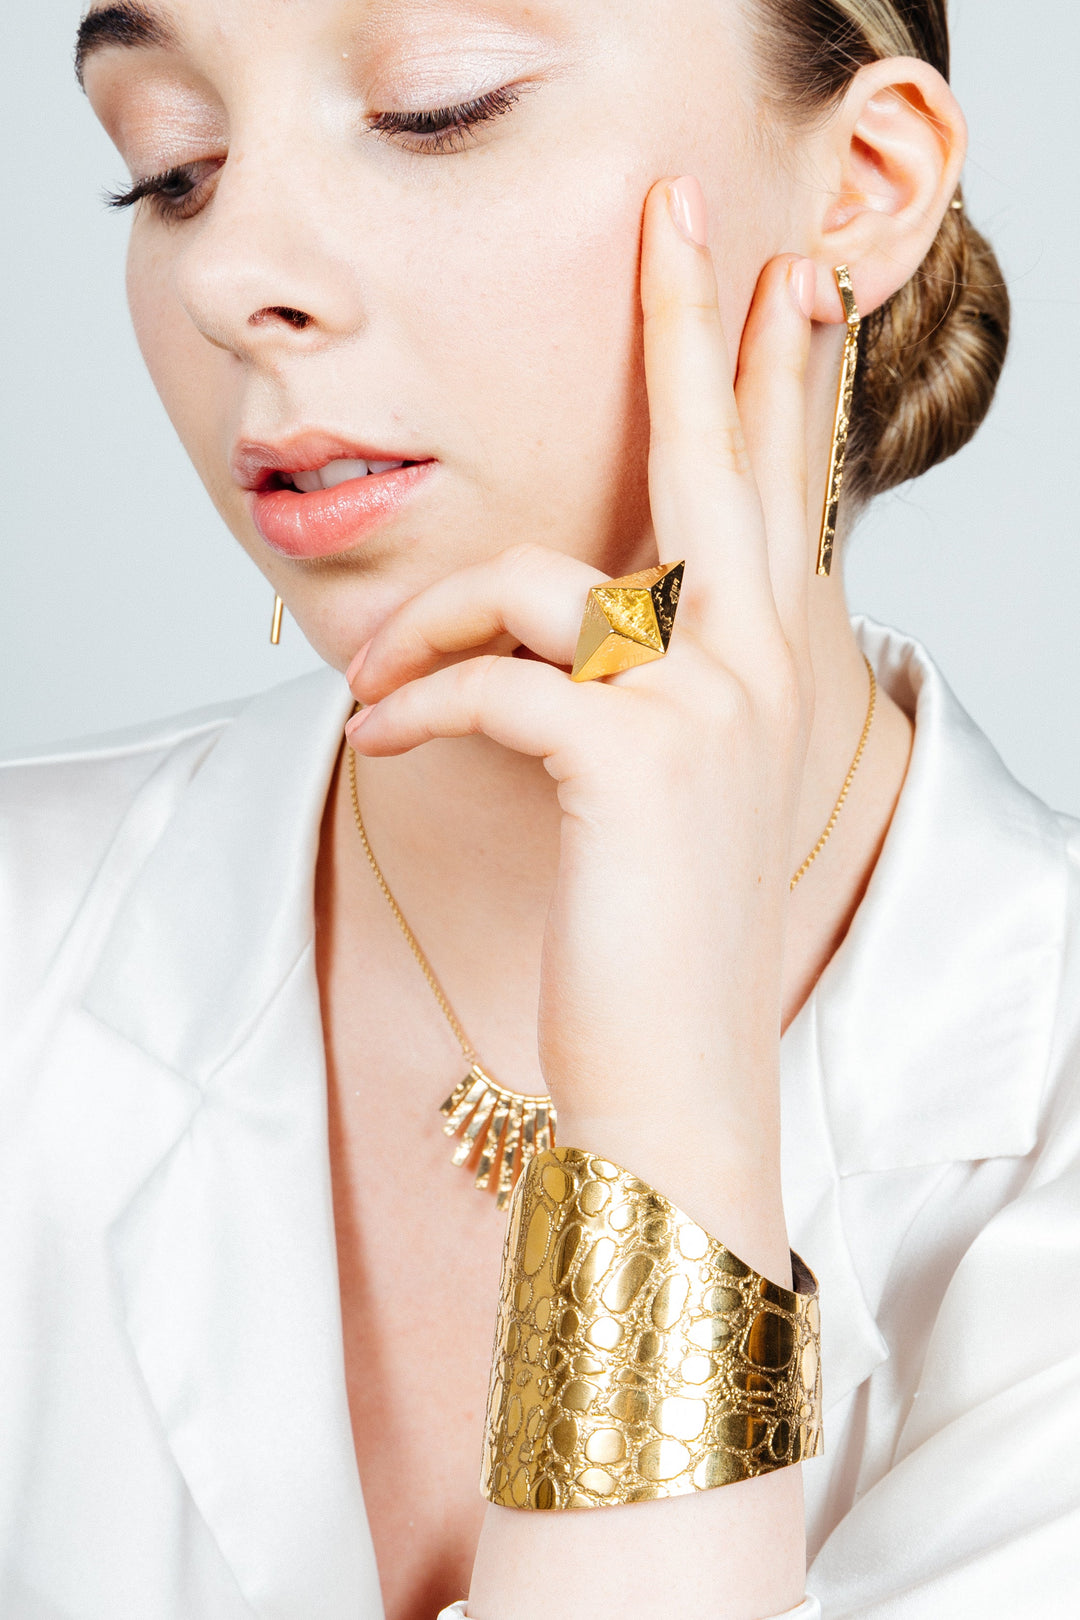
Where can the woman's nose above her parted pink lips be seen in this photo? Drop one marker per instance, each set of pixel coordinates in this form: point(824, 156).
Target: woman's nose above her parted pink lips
point(268, 270)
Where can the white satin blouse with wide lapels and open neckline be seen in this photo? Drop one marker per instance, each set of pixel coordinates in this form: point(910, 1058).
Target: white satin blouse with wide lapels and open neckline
point(174, 1428)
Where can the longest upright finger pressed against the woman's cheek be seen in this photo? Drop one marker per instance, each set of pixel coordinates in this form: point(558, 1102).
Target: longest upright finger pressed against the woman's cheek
point(702, 488)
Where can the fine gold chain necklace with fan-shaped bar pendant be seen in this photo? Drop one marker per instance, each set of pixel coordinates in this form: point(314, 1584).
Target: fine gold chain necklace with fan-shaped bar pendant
point(498, 1128)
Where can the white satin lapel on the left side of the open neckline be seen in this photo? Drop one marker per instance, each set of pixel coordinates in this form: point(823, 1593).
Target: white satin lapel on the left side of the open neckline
point(226, 1256)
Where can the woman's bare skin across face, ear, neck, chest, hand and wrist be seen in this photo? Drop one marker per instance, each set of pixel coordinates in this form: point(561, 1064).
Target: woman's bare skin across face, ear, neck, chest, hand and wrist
point(530, 313)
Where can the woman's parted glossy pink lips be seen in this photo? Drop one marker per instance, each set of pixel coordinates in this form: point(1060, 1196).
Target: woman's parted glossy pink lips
point(328, 521)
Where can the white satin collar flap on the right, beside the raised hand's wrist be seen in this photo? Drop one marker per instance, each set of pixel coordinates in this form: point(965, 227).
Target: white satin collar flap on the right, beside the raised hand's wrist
point(937, 1013)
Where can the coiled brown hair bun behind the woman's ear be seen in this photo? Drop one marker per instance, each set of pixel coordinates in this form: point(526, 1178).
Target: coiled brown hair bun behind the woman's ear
point(930, 364)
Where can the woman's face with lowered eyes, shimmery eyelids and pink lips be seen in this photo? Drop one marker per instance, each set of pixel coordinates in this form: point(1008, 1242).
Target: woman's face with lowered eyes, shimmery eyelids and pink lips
point(334, 279)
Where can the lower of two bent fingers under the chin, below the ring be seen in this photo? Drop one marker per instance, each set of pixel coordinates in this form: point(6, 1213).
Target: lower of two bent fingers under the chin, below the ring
point(527, 707)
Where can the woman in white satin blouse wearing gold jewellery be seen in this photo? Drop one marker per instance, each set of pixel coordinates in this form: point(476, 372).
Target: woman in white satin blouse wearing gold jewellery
point(464, 310)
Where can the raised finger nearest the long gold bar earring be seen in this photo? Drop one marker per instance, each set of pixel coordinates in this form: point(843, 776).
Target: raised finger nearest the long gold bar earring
point(772, 398)
